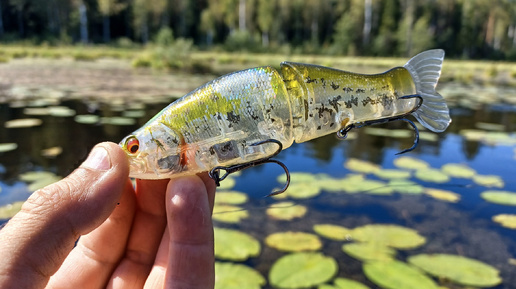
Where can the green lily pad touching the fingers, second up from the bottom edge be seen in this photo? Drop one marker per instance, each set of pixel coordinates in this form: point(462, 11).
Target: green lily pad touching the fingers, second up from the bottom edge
point(235, 245)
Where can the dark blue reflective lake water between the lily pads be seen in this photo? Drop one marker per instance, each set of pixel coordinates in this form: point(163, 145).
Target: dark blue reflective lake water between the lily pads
point(463, 228)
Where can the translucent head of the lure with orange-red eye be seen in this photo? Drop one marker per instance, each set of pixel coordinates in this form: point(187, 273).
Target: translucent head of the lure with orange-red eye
point(153, 152)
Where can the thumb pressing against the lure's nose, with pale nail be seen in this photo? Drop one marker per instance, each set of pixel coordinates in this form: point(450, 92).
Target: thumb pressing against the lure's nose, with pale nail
point(37, 239)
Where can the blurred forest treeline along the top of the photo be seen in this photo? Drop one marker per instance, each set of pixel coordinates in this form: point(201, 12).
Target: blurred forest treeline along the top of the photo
point(464, 28)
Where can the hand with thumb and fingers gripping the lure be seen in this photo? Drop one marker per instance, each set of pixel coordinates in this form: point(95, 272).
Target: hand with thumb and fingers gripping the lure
point(158, 234)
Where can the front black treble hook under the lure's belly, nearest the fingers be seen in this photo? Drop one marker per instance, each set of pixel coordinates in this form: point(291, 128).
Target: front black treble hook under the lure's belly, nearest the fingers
point(215, 172)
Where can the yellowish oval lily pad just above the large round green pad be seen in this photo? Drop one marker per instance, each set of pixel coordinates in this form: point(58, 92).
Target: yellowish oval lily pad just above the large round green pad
point(293, 241)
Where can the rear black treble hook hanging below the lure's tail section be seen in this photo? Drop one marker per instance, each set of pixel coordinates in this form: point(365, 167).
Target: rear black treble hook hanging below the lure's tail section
point(342, 134)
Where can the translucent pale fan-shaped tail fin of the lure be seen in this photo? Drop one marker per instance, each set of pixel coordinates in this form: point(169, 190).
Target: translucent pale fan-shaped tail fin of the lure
point(425, 69)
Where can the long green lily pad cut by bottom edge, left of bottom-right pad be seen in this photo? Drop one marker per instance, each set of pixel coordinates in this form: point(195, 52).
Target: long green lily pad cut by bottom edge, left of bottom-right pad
point(397, 275)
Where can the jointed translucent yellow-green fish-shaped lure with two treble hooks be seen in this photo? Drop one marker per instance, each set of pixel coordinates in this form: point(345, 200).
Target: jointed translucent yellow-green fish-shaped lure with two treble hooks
point(245, 118)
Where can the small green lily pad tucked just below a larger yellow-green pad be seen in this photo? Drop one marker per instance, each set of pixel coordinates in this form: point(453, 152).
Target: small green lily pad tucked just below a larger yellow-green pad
point(369, 251)
